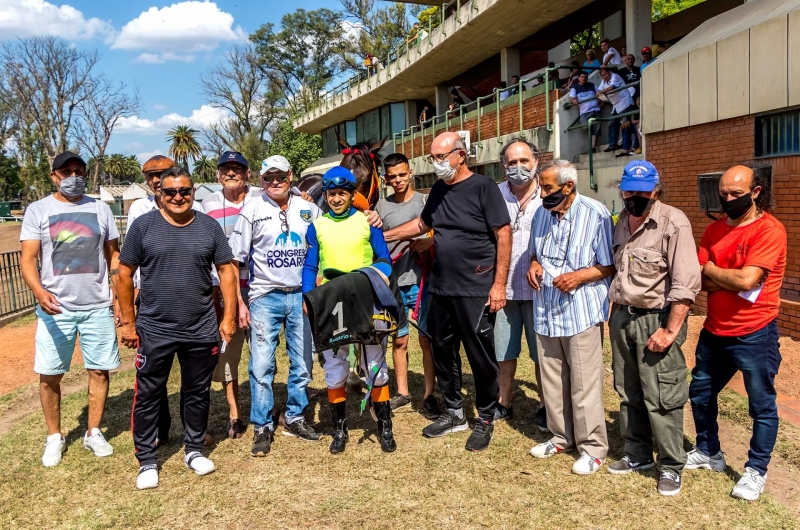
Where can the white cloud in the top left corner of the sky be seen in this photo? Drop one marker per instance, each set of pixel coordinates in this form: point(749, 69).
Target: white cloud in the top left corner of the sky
point(27, 18)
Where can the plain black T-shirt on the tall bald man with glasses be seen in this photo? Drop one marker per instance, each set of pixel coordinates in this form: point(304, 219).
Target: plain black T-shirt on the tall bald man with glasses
point(463, 217)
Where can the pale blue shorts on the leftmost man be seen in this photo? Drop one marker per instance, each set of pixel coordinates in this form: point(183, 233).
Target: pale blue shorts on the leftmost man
point(56, 336)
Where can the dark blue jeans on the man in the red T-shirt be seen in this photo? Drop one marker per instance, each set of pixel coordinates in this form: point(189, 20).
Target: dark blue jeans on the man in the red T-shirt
point(758, 357)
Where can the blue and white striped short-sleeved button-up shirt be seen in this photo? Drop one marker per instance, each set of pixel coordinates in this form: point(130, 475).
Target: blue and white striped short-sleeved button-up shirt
point(581, 239)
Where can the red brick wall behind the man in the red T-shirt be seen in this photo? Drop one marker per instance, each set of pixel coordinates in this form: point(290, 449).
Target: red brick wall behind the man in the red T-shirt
point(682, 154)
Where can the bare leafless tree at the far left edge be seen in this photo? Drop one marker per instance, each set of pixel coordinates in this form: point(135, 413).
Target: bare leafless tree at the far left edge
point(47, 79)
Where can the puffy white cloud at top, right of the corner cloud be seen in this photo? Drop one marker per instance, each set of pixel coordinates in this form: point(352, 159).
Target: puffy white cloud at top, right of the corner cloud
point(176, 32)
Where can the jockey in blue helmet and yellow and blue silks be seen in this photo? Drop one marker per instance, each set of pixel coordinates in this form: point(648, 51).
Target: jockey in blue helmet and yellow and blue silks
point(345, 242)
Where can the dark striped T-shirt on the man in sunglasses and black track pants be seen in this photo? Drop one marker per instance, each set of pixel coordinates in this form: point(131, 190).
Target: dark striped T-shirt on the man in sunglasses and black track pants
point(175, 264)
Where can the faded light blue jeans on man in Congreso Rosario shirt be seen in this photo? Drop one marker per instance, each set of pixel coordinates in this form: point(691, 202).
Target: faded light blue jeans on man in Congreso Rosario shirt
point(267, 314)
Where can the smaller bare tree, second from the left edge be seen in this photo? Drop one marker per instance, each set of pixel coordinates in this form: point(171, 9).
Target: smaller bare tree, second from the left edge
point(100, 111)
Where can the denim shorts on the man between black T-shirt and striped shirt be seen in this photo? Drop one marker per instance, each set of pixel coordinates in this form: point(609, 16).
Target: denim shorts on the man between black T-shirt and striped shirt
point(512, 320)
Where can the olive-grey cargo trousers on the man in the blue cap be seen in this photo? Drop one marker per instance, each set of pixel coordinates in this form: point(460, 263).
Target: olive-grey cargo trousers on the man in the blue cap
point(652, 387)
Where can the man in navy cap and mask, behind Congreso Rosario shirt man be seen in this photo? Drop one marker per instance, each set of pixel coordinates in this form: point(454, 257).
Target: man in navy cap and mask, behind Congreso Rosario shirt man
point(233, 172)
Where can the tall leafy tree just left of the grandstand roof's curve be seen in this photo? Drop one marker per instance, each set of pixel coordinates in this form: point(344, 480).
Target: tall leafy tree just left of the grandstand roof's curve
point(302, 57)
